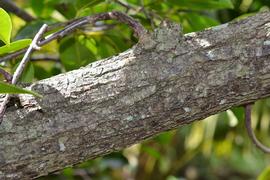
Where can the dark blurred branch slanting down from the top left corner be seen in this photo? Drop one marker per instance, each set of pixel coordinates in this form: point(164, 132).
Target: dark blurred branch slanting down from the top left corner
point(11, 7)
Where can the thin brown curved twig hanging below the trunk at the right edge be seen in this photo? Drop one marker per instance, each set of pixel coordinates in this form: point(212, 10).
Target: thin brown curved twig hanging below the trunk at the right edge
point(251, 132)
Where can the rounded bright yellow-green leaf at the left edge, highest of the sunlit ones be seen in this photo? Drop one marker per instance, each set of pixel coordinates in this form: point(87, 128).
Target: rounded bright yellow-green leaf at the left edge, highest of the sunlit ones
point(6, 26)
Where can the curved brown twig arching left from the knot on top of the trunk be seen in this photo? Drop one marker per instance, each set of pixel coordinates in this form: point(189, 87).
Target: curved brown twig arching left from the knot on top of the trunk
point(139, 30)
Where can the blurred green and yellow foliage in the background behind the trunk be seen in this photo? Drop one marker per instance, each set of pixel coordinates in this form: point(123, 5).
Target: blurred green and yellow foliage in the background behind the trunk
point(216, 148)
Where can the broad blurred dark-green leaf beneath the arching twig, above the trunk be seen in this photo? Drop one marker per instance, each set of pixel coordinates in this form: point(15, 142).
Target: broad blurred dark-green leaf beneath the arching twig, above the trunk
point(73, 54)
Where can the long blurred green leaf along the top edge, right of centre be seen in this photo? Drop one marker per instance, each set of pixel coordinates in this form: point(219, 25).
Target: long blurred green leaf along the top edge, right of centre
point(200, 5)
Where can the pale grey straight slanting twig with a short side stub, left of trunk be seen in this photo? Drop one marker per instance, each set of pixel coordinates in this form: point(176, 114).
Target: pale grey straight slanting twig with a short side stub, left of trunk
point(21, 67)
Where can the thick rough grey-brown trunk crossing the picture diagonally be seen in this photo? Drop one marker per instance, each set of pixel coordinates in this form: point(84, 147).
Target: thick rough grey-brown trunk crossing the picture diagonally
point(165, 81)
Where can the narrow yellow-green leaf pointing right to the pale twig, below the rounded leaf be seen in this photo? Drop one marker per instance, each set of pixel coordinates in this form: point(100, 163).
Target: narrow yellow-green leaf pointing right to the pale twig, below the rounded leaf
point(14, 46)
